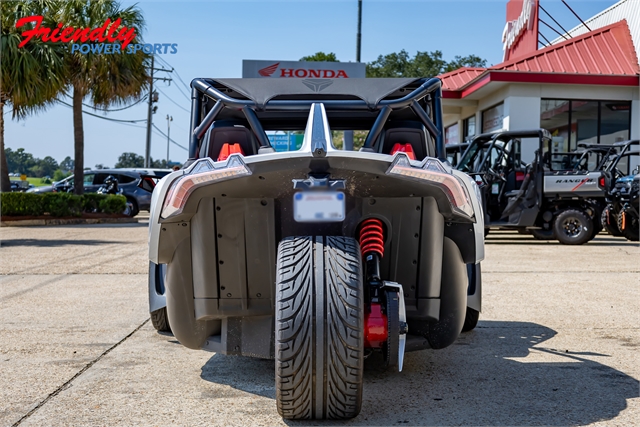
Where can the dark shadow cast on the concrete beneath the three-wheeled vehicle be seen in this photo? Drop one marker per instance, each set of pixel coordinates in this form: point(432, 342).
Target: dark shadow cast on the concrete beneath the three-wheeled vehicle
point(499, 374)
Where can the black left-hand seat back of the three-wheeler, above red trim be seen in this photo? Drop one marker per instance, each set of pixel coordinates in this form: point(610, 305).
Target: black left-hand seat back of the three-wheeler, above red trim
point(230, 132)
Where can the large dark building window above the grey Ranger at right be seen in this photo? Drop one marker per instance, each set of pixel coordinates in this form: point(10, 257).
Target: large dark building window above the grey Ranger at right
point(574, 122)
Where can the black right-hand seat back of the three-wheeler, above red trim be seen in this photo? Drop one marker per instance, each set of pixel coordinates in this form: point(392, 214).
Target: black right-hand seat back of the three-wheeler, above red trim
point(408, 132)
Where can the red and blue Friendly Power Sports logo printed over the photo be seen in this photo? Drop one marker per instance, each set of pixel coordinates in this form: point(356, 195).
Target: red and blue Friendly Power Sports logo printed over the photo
point(110, 38)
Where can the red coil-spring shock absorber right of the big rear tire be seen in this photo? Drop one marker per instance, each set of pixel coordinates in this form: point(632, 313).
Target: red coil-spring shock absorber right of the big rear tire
point(371, 237)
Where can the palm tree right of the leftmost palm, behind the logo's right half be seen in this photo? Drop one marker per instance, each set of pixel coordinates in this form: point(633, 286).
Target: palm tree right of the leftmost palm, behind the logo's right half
point(106, 79)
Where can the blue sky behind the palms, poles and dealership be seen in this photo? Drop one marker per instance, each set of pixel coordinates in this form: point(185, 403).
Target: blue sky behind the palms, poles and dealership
point(214, 37)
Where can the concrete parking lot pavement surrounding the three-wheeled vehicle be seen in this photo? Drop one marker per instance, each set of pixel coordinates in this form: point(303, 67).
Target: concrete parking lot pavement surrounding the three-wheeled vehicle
point(557, 343)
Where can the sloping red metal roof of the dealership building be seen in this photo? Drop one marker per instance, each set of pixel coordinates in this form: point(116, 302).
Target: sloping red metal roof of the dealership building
point(597, 57)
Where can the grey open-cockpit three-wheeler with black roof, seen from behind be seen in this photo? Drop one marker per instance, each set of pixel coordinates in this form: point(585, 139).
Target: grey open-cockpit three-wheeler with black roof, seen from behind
point(317, 258)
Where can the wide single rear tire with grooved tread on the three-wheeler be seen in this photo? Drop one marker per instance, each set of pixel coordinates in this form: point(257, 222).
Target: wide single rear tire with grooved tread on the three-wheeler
point(319, 338)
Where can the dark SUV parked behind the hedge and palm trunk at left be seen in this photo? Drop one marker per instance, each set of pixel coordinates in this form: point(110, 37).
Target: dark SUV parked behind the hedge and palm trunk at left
point(129, 181)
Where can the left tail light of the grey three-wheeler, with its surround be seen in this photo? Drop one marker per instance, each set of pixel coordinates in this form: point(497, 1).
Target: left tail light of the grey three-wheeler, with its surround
point(202, 173)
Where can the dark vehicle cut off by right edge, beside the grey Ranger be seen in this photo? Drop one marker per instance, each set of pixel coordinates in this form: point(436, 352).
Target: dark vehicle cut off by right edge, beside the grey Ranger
point(619, 181)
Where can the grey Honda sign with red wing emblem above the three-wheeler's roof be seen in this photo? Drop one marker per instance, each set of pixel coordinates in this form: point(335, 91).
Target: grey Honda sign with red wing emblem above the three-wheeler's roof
point(302, 70)
